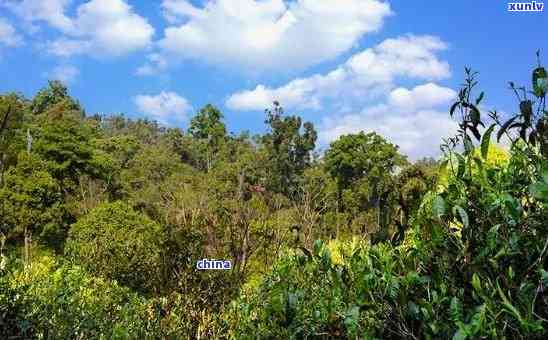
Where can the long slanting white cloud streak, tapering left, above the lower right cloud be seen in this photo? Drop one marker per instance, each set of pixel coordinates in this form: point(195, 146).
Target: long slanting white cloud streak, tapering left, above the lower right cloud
point(372, 71)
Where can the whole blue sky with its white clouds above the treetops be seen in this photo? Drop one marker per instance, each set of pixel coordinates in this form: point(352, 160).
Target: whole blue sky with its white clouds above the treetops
point(345, 65)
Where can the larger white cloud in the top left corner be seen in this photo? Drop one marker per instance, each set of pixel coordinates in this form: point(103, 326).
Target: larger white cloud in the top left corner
point(100, 27)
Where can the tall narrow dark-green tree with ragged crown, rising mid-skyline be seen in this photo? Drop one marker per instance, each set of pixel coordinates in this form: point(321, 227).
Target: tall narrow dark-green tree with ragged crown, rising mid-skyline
point(288, 146)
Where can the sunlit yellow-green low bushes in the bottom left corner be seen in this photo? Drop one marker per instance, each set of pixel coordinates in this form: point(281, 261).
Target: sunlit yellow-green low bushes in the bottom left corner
point(62, 302)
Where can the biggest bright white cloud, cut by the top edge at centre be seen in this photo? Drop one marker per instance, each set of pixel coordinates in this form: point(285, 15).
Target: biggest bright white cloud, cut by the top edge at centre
point(268, 34)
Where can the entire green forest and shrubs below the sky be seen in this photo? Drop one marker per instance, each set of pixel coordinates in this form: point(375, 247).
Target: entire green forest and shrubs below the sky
point(103, 219)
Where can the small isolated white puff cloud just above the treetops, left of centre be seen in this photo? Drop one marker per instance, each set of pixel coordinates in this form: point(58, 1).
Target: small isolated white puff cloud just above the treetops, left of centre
point(165, 107)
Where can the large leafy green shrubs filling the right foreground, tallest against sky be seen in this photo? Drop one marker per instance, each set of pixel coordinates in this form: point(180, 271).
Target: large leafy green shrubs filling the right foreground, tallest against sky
point(471, 266)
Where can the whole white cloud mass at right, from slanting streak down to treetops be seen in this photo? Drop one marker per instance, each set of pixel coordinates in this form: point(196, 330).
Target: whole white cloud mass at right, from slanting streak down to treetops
point(363, 94)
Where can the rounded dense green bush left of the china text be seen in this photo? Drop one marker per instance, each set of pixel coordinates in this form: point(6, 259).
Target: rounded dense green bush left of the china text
point(118, 243)
